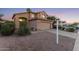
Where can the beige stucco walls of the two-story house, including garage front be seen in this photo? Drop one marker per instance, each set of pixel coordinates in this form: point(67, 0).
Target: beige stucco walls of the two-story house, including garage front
point(38, 24)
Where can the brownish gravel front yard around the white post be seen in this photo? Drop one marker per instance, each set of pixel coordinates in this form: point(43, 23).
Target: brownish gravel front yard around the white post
point(41, 41)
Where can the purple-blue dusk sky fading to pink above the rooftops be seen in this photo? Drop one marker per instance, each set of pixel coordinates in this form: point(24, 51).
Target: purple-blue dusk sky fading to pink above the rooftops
point(70, 15)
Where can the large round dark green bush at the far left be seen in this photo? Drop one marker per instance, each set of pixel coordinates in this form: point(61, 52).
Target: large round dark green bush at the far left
point(7, 28)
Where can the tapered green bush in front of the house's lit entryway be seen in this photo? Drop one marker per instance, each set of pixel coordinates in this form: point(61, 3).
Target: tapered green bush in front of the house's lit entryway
point(23, 29)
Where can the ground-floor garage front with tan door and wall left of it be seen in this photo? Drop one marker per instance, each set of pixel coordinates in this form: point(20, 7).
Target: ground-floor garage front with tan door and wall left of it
point(40, 25)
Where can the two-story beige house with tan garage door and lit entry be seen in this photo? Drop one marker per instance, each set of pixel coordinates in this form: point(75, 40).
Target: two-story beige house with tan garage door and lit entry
point(35, 20)
